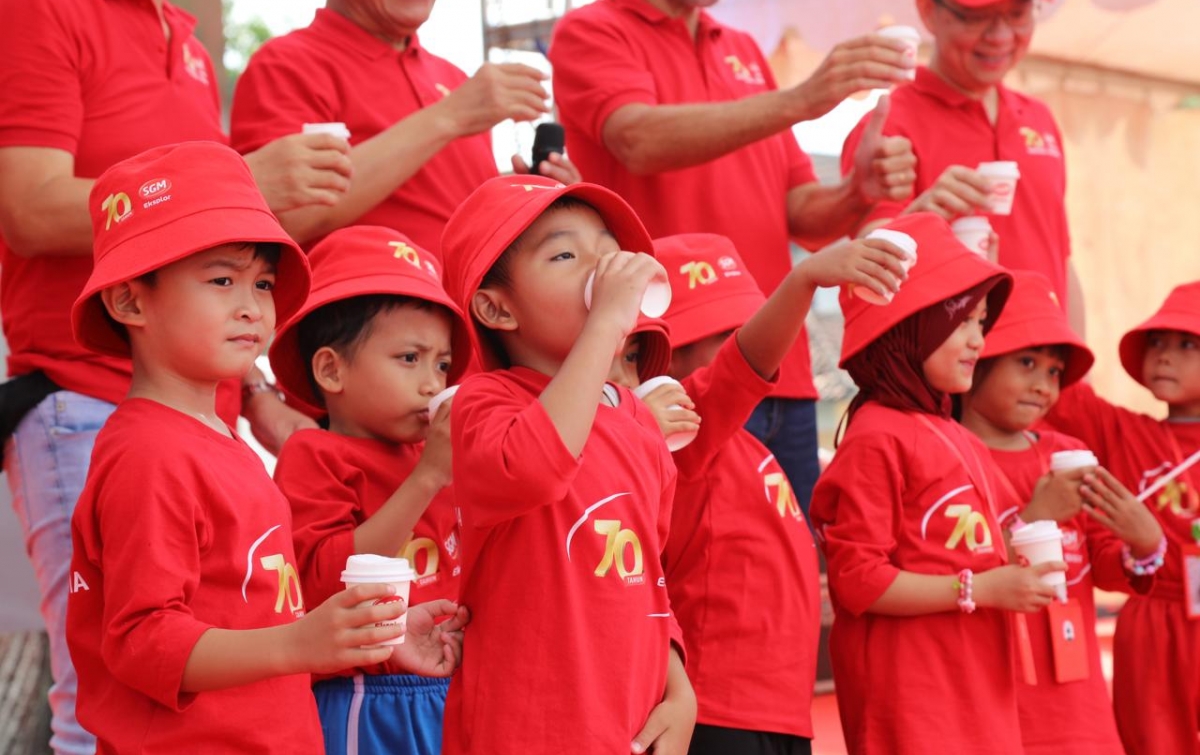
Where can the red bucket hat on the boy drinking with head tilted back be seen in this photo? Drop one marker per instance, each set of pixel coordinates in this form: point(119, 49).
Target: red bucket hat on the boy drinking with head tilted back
point(493, 218)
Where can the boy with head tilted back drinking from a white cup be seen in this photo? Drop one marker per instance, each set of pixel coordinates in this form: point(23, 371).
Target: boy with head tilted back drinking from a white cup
point(566, 502)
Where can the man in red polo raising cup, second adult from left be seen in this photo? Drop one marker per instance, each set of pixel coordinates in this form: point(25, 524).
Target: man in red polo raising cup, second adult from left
point(418, 124)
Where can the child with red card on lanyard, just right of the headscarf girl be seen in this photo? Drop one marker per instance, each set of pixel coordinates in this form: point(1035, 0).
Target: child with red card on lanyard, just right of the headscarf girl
point(1030, 355)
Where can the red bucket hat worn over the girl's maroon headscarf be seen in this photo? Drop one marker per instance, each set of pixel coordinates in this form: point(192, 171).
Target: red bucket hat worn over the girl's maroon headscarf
point(944, 269)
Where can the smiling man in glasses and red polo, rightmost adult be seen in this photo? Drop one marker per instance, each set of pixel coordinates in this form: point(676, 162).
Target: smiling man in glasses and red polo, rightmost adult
point(958, 113)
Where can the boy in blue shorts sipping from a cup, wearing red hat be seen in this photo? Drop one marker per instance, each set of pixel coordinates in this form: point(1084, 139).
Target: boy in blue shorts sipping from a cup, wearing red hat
point(376, 340)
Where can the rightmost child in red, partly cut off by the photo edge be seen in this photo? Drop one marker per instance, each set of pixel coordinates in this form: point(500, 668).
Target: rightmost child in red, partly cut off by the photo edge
point(1156, 672)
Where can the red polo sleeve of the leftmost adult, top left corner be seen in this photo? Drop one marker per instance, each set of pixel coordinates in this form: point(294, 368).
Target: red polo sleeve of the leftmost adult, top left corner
point(41, 103)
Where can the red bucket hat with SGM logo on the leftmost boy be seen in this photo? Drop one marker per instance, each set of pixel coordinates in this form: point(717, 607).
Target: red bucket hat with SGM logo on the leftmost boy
point(166, 205)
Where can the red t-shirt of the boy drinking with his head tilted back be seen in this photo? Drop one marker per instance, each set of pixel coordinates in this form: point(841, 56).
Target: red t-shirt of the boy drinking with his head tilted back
point(567, 651)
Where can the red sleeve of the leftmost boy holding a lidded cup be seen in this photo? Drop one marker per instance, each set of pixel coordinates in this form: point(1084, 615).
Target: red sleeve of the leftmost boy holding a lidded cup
point(153, 529)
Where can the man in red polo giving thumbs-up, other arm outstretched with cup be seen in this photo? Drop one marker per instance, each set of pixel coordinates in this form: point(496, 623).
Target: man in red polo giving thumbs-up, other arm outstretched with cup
point(681, 116)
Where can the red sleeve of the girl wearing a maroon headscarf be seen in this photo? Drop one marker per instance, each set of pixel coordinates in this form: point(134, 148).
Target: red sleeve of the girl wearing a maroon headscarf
point(859, 496)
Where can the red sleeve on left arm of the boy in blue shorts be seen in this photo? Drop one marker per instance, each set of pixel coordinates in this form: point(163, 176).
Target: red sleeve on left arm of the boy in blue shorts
point(323, 513)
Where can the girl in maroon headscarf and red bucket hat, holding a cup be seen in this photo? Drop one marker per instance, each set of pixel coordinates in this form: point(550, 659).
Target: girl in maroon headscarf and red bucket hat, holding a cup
point(908, 514)
